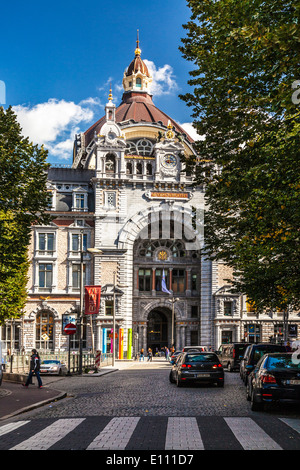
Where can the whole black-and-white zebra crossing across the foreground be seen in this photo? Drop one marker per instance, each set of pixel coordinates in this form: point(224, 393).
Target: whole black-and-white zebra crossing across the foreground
point(152, 433)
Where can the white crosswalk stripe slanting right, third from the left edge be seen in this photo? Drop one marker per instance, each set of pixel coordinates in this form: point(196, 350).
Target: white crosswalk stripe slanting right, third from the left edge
point(116, 435)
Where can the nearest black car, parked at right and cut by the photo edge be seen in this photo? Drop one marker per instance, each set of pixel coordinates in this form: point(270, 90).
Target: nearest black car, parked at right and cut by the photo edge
point(275, 378)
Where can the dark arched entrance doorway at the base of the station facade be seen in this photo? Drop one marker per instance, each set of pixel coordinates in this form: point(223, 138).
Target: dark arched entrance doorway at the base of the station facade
point(157, 331)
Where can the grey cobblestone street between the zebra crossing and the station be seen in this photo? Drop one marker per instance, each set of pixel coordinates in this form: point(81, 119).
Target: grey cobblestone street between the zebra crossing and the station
point(143, 389)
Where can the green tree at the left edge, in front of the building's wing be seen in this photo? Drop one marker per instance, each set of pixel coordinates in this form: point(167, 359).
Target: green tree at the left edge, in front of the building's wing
point(23, 202)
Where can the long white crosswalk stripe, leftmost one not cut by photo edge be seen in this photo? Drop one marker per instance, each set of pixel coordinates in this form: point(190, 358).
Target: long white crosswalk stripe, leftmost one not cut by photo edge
point(44, 439)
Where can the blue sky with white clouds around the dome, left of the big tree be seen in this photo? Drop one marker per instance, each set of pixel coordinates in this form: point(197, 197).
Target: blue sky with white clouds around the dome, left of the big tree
point(58, 58)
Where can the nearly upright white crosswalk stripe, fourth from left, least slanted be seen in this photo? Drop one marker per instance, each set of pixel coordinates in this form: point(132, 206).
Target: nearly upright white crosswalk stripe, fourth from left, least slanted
point(183, 434)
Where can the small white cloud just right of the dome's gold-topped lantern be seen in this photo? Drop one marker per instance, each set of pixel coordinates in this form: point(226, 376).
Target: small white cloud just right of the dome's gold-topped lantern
point(163, 80)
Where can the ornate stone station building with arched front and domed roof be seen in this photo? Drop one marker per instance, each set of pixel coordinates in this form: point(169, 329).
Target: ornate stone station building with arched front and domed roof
point(128, 195)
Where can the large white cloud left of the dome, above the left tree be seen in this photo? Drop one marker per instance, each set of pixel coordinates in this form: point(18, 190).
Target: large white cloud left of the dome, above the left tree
point(55, 122)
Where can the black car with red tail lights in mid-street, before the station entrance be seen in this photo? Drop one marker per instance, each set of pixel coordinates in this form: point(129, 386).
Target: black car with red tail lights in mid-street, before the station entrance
point(197, 367)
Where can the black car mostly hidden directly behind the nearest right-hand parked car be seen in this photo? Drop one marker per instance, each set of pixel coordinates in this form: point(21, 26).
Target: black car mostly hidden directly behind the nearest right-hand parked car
point(253, 354)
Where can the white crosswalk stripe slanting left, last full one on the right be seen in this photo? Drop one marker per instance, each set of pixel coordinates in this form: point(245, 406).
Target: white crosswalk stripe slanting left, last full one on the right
point(250, 435)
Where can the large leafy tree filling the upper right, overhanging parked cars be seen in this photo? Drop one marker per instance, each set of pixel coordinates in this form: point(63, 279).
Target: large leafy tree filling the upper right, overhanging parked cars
point(247, 58)
